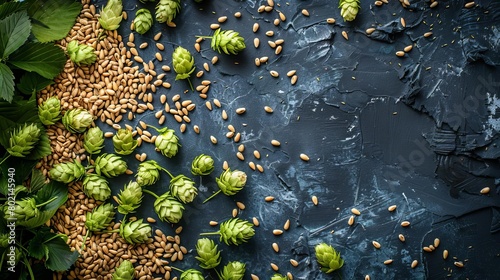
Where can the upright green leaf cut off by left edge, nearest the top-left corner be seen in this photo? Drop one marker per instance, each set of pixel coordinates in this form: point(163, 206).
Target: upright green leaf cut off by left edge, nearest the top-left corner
point(14, 31)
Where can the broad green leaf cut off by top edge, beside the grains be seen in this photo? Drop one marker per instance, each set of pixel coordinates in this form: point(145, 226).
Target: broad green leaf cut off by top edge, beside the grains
point(52, 19)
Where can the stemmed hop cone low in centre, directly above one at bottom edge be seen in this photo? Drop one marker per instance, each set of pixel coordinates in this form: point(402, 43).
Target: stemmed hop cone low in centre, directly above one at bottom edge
point(236, 231)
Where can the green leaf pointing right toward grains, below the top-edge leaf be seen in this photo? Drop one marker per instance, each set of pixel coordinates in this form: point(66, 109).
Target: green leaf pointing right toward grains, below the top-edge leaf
point(44, 58)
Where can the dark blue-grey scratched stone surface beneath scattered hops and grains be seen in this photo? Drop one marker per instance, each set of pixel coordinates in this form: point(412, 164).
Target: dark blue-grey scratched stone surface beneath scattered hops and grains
point(420, 132)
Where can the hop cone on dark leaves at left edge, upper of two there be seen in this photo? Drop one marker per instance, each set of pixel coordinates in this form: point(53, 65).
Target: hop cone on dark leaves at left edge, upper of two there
point(23, 140)
